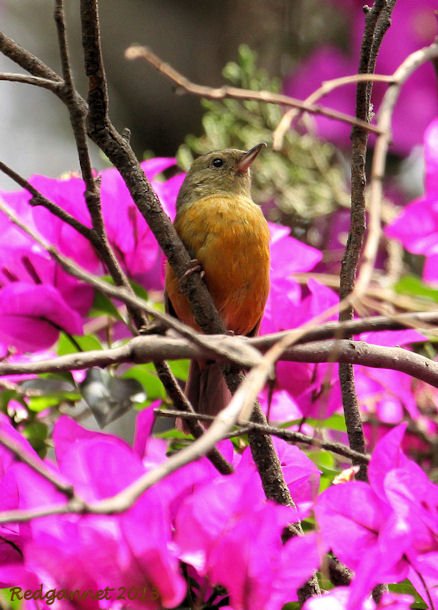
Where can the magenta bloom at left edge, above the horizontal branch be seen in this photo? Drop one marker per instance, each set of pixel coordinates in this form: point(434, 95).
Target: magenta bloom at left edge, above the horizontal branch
point(38, 298)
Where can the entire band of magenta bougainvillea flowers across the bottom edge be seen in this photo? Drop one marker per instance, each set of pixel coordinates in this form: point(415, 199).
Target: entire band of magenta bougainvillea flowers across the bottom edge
point(214, 538)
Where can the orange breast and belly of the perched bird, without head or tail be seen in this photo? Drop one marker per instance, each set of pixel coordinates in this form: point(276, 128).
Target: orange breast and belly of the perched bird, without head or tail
point(229, 236)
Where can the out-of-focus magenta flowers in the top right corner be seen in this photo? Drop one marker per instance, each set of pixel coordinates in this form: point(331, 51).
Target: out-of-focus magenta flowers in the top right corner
point(413, 26)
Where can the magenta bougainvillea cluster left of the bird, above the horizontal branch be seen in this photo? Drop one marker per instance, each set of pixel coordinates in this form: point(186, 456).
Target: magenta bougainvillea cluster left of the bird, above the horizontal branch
point(38, 298)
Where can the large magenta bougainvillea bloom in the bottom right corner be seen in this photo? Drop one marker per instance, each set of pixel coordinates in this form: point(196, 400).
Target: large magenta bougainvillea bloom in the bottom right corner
point(385, 530)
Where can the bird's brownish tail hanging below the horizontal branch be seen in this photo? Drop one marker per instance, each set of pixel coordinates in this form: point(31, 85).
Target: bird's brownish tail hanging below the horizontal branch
point(206, 388)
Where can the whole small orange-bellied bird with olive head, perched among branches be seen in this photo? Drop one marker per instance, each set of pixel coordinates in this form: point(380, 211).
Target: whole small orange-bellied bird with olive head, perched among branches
point(227, 236)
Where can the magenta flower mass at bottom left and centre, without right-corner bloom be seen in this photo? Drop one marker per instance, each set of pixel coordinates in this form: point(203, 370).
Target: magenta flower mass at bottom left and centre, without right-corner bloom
point(194, 517)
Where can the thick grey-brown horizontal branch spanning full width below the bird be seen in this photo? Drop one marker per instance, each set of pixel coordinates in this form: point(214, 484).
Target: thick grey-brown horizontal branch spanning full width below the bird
point(156, 347)
